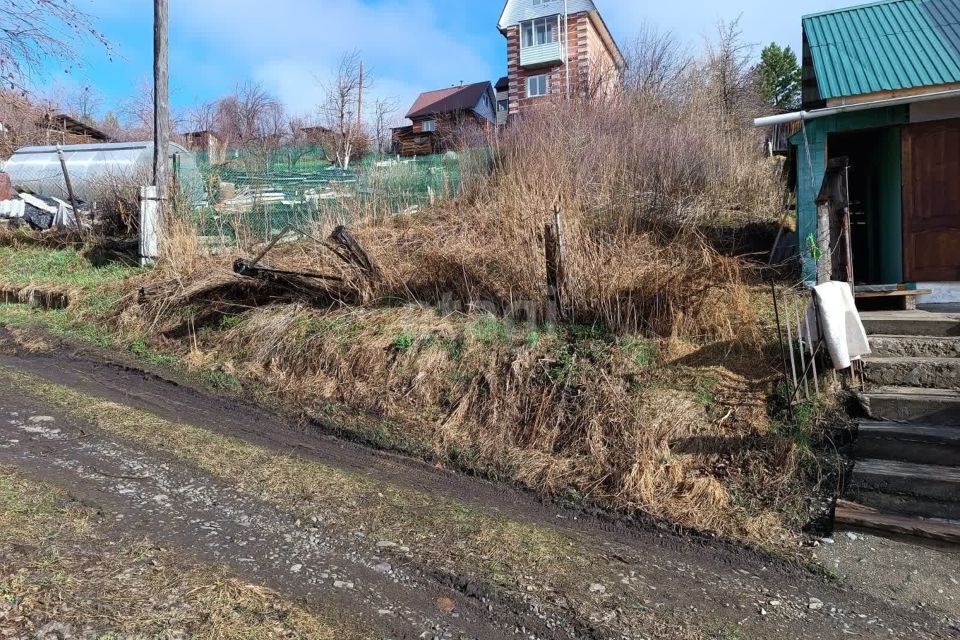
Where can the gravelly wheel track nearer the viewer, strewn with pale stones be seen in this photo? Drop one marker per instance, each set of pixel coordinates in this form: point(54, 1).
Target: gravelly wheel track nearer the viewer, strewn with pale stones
point(173, 505)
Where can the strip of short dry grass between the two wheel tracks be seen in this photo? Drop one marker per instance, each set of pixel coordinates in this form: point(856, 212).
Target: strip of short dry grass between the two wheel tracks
point(523, 559)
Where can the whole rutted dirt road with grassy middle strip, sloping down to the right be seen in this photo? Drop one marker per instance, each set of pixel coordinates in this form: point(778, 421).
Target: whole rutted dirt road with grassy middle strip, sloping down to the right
point(409, 572)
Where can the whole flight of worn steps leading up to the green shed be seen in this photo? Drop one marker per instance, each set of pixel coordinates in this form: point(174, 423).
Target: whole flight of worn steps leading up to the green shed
point(906, 472)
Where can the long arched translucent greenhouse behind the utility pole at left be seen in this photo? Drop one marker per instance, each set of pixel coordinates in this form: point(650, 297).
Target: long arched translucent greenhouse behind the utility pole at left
point(94, 168)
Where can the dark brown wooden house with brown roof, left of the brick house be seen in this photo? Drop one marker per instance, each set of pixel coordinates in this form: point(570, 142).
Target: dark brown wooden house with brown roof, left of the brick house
point(445, 119)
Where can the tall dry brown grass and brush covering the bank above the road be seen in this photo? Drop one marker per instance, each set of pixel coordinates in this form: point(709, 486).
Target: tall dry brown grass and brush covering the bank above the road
point(610, 405)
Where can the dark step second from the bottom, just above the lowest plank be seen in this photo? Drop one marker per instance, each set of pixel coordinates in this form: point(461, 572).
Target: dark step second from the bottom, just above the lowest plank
point(909, 488)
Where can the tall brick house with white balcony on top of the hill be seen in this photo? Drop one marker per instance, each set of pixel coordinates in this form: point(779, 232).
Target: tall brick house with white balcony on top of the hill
point(558, 48)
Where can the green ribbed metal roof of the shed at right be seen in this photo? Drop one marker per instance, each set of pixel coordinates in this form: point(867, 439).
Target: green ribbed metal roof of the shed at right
point(885, 46)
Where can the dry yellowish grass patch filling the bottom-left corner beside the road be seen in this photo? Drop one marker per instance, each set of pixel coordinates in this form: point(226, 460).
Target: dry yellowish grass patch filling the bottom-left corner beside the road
point(59, 569)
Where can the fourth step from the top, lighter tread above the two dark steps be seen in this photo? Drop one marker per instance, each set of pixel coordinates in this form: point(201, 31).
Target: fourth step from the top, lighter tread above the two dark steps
point(904, 404)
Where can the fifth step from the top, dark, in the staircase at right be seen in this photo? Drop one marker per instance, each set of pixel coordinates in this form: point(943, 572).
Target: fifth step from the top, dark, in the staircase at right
point(924, 444)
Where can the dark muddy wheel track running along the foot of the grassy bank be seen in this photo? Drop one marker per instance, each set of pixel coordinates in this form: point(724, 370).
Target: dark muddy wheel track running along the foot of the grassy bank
point(693, 569)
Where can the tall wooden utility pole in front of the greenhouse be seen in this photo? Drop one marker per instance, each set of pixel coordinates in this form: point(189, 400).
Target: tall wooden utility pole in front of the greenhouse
point(161, 101)
